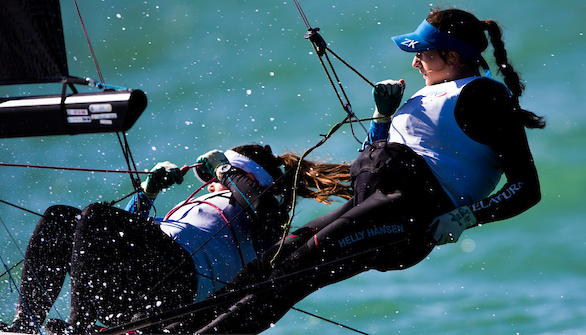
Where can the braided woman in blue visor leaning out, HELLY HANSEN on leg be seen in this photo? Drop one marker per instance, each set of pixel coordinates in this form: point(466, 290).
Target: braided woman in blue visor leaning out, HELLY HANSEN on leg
point(423, 176)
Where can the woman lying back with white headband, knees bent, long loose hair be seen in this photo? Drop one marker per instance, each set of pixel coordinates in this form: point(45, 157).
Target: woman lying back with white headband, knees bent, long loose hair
point(124, 264)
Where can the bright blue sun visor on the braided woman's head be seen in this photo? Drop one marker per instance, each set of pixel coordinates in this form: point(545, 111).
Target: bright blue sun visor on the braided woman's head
point(428, 37)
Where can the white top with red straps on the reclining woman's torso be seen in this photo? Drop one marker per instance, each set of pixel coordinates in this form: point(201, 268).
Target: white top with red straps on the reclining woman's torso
point(217, 258)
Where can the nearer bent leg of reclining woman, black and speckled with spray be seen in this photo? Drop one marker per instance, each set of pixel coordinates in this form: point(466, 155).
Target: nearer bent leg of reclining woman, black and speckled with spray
point(124, 266)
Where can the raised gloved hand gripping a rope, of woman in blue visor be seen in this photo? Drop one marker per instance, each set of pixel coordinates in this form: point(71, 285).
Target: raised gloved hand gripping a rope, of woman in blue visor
point(387, 98)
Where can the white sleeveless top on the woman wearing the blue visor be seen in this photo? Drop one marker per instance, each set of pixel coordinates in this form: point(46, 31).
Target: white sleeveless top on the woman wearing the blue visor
point(467, 170)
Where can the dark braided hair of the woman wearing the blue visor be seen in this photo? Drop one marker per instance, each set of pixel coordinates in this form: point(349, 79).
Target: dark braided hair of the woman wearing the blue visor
point(467, 28)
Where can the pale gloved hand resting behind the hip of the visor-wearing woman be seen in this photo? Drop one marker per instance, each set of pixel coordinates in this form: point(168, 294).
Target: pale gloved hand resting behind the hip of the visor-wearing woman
point(448, 227)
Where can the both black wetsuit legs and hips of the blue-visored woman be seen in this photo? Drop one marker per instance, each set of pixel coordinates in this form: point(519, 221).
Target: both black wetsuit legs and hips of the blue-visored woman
point(386, 231)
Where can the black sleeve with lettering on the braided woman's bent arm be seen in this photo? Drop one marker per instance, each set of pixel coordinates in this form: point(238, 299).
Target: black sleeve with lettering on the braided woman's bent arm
point(485, 112)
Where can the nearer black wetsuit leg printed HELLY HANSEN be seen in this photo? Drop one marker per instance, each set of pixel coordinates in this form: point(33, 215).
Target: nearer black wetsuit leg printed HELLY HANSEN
point(363, 238)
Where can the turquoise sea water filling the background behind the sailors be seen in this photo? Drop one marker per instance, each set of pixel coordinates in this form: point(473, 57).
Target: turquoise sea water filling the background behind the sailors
point(220, 74)
